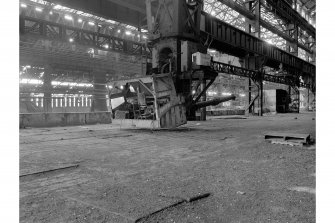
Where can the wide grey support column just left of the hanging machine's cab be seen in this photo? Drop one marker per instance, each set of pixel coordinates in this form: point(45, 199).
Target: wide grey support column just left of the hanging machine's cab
point(99, 92)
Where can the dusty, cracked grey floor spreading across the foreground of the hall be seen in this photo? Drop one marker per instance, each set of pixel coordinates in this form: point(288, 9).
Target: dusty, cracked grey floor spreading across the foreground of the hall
point(115, 175)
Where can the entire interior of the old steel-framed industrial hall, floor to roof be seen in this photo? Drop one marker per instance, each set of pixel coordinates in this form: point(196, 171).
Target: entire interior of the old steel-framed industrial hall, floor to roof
point(167, 110)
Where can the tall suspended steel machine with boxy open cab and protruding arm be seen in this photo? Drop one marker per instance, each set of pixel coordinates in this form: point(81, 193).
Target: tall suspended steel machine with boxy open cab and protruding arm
point(180, 65)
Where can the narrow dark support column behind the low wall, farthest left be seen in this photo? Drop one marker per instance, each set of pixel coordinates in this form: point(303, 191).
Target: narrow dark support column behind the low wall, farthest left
point(47, 78)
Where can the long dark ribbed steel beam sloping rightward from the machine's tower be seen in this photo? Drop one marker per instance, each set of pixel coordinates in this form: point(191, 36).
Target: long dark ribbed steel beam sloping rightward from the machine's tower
point(238, 43)
